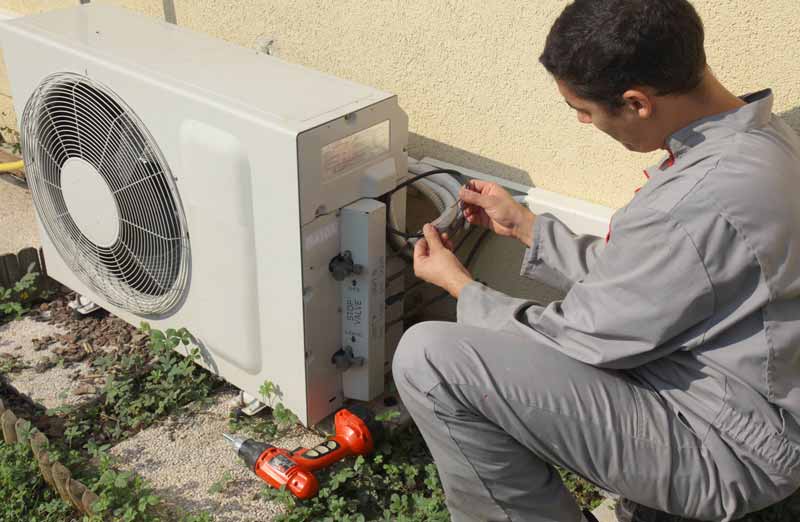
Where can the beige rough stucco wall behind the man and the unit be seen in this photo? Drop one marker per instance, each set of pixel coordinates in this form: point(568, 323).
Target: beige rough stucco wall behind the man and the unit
point(466, 71)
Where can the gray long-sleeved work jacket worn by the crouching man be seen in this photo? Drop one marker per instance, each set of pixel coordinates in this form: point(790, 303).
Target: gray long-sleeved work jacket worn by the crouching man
point(696, 291)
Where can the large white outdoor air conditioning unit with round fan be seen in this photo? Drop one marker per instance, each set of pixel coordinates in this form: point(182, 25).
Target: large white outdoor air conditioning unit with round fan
point(187, 182)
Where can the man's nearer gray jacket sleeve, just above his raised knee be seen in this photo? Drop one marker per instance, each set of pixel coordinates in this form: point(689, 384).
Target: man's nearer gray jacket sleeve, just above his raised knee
point(639, 299)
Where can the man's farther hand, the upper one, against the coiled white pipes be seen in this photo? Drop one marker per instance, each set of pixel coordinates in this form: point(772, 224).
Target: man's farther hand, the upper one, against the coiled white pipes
point(491, 206)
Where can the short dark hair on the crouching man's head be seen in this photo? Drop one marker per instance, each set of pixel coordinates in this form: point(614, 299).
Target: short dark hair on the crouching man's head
point(601, 48)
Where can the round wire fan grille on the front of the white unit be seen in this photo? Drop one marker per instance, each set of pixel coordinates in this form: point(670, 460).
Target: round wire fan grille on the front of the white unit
point(145, 269)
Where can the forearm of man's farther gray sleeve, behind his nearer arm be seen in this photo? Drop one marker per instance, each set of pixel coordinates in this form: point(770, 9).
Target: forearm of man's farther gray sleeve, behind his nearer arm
point(558, 257)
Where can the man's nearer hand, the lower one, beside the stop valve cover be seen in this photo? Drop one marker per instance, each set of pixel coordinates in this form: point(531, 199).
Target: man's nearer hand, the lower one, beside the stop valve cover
point(435, 262)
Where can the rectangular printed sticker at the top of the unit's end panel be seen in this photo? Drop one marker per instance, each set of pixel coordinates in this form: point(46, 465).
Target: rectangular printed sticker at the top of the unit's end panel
point(347, 154)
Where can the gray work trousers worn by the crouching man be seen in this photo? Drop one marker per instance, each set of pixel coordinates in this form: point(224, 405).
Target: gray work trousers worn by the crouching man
point(497, 411)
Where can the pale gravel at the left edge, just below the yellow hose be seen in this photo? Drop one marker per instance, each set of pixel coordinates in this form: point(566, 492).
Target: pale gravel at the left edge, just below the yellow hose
point(17, 217)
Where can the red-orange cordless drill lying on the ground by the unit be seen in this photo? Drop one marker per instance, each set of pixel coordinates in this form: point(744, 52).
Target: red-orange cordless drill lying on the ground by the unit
point(355, 434)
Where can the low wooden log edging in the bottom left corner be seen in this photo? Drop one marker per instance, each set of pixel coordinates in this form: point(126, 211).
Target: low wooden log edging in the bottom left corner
point(72, 491)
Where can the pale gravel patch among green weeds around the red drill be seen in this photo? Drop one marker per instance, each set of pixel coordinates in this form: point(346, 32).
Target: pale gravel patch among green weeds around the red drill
point(183, 457)
